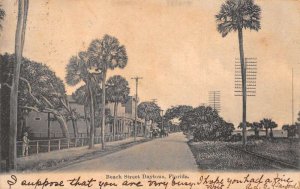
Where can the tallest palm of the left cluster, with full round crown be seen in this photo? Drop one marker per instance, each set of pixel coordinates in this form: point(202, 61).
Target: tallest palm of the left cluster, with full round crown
point(105, 54)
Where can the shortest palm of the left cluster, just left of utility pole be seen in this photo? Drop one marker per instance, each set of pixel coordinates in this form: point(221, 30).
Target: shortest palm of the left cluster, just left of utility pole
point(117, 92)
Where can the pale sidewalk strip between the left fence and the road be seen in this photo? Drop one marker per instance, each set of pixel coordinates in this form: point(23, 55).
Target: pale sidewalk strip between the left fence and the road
point(60, 158)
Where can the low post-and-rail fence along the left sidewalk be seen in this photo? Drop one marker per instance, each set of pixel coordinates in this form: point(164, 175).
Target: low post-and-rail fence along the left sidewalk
point(43, 146)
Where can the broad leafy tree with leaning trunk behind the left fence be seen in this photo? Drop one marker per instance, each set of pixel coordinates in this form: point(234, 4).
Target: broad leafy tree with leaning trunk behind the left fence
point(40, 89)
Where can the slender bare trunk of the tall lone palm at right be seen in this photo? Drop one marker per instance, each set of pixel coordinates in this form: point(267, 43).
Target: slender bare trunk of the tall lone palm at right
point(244, 87)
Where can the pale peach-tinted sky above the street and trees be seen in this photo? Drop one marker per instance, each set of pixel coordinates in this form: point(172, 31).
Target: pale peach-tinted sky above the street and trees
point(174, 46)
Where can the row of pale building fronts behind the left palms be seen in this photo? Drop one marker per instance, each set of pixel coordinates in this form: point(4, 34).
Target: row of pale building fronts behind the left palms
point(42, 125)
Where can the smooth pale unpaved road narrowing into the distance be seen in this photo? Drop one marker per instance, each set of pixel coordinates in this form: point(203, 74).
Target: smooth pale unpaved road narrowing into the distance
point(163, 154)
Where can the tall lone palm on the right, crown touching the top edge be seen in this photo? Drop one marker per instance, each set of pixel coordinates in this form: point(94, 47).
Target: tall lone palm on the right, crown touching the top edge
point(234, 16)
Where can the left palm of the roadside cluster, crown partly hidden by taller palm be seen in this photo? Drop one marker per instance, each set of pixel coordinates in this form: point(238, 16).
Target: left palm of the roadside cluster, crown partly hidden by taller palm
point(77, 71)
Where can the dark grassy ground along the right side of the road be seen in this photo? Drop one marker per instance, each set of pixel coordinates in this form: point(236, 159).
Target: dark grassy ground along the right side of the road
point(217, 155)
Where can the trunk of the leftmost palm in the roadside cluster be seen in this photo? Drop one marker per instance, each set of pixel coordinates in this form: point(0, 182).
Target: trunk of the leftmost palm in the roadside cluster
point(92, 116)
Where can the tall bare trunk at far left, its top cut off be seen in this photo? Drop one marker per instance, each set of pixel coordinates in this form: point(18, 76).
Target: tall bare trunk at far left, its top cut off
point(19, 43)
